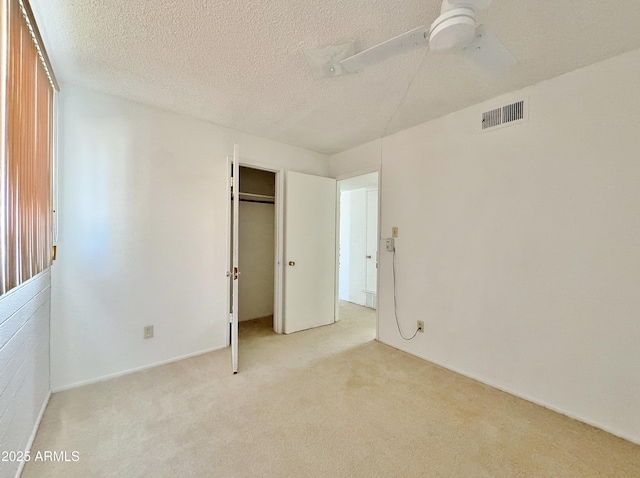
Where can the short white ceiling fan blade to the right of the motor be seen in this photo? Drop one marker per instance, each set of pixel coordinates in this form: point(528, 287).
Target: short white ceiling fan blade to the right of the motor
point(489, 53)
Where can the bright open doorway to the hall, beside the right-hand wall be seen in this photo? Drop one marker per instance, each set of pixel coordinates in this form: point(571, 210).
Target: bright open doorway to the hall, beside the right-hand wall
point(358, 240)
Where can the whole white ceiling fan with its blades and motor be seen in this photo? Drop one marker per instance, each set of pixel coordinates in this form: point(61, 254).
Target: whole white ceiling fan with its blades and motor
point(454, 31)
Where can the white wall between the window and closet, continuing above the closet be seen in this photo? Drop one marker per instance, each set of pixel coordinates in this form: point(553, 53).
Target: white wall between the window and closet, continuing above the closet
point(143, 200)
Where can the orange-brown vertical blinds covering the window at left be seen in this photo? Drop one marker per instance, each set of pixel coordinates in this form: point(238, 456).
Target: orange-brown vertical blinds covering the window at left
point(27, 151)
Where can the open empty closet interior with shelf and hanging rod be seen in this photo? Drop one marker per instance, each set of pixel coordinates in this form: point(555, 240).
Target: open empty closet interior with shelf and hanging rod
point(256, 244)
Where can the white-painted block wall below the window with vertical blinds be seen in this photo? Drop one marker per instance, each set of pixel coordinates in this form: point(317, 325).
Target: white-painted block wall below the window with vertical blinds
point(24, 364)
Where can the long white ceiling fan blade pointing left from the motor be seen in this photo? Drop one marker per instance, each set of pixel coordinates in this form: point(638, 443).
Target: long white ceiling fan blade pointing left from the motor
point(410, 40)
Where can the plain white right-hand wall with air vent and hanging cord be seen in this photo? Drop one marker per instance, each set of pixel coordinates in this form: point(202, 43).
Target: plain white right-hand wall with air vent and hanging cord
point(519, 247)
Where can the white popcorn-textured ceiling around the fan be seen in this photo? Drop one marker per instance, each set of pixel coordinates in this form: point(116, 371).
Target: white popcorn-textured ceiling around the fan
point(241, 64)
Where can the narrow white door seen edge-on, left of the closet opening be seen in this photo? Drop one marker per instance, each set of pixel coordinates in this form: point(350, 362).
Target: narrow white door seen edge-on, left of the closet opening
point(235, 273)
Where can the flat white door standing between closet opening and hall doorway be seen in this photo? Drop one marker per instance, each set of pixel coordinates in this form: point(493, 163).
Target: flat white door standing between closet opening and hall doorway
point(310, 255)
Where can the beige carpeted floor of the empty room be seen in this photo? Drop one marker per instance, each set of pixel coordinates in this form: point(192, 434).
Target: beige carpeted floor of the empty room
point(328, 402)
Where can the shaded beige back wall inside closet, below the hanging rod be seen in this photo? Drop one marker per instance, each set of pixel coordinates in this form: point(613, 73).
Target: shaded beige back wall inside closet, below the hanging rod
point(257, 254)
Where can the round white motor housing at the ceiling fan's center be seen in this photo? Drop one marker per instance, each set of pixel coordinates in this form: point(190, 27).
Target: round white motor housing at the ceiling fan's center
point(453, 30)
